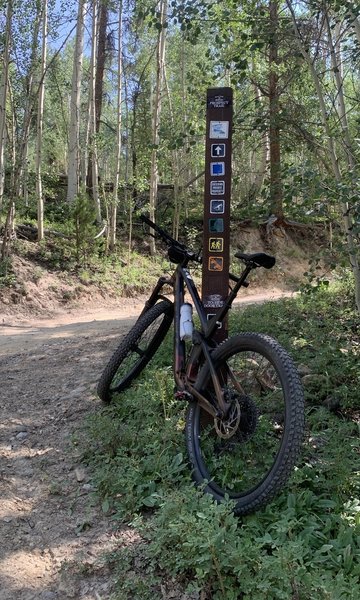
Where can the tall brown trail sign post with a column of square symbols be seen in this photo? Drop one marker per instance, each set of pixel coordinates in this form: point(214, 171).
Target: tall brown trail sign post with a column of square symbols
point(216, 259)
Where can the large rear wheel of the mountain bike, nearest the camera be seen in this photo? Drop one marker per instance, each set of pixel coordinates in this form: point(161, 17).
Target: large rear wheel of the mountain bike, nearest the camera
point(248, 455)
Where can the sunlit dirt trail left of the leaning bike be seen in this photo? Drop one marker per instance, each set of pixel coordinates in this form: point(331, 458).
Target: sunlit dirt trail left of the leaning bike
point(53, 533)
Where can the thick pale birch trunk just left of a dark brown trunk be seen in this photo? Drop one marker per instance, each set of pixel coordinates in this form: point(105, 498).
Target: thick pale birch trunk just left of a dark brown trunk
point(74, 132)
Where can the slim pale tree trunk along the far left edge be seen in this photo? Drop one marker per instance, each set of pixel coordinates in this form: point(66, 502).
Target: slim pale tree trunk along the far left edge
point(3, 97)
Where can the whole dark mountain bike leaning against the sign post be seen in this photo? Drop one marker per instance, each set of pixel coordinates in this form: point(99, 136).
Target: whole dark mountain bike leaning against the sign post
point(245, 405)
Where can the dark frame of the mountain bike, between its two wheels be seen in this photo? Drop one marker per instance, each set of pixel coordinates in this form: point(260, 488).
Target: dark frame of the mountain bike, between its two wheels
point(202, 340)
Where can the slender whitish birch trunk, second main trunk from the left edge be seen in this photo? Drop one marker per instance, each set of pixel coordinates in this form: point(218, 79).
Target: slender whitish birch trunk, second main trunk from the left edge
point(40, 122)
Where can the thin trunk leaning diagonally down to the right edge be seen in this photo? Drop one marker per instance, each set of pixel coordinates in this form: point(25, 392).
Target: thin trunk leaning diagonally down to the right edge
point(347, 219)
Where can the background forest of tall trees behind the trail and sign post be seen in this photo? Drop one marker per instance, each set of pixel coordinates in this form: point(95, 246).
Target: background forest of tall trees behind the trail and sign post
point(103, 103)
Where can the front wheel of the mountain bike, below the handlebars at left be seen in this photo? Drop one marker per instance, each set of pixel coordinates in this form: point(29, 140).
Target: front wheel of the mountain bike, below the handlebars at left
point(135, 350)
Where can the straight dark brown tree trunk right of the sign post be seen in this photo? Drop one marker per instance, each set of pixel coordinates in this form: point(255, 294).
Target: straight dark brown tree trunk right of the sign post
point(276, 194)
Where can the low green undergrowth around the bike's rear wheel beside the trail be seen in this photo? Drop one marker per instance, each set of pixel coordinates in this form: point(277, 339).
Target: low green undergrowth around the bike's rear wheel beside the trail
point(306, 543)
